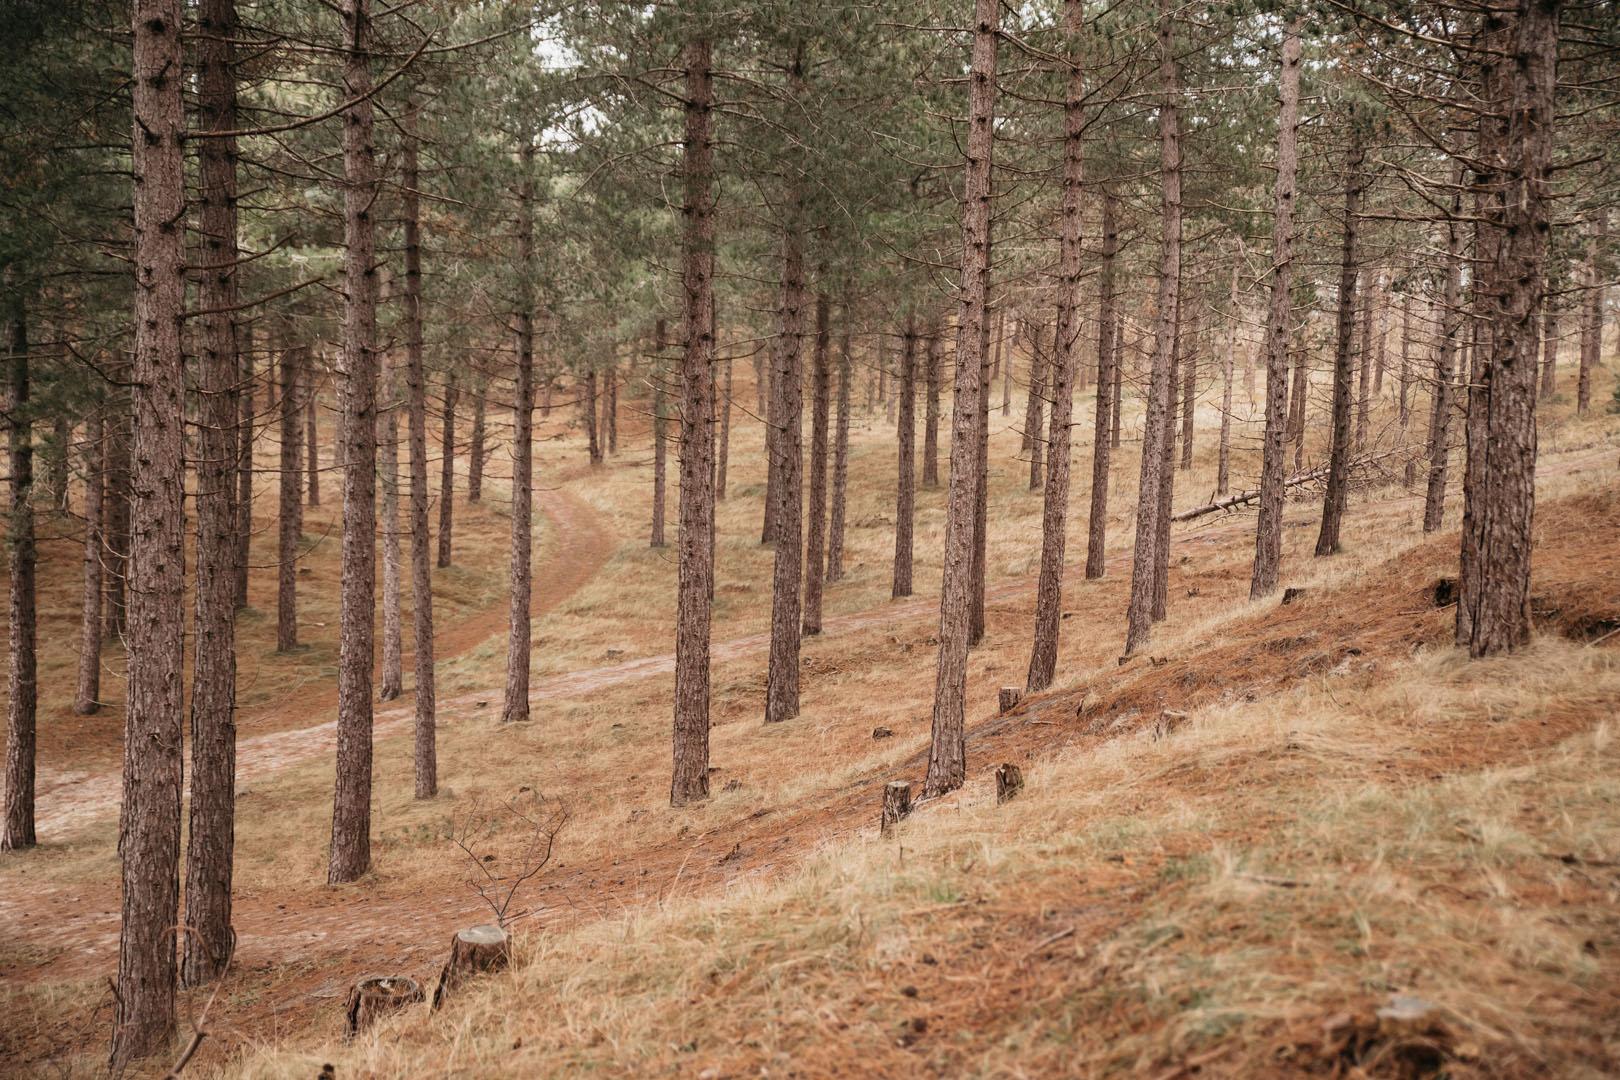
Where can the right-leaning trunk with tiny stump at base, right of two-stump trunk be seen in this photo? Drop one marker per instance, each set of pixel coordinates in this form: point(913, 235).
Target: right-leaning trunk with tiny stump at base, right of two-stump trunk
point(1055, 522)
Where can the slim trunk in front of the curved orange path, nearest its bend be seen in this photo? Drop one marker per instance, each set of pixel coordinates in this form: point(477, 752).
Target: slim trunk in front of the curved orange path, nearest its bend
point(514, 708)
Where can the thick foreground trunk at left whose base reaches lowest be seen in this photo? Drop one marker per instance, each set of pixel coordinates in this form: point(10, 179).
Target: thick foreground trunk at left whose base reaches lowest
point(153, 760)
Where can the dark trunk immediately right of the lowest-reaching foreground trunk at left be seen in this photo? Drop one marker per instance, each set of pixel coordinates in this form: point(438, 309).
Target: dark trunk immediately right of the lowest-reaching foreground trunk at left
point(208, 940)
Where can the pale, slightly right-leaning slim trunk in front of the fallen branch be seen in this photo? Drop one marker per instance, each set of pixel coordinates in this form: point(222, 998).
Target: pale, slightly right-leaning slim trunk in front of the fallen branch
point(1274, 443)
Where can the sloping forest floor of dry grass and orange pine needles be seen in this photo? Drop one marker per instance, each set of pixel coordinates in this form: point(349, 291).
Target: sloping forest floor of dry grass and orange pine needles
point(1230, 853)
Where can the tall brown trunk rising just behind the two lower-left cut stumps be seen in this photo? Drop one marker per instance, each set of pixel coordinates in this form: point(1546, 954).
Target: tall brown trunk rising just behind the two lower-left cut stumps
point(357, 587)
